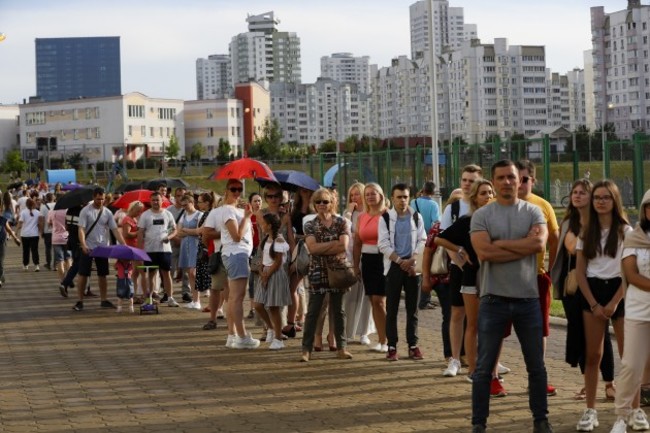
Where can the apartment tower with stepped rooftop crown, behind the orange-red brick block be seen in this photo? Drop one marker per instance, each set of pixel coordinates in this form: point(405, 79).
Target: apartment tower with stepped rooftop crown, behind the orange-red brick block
point(264, 53)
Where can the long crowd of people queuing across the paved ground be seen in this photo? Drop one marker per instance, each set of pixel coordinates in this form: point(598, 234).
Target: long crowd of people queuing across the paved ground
point(496, 233)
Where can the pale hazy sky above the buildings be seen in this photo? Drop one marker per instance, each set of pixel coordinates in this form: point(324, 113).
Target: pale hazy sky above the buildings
point(161, 40)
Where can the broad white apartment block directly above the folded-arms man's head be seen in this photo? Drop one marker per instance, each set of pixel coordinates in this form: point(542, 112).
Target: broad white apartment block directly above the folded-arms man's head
point(497, 89)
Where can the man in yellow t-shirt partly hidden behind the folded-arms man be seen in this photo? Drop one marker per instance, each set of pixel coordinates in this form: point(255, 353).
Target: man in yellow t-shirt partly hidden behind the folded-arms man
point(527, 177)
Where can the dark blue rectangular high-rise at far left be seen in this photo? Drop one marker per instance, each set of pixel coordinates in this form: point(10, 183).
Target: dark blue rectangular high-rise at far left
point(68, 68)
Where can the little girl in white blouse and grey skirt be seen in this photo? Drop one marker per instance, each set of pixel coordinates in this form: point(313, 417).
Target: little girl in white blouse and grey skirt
point(272, 288)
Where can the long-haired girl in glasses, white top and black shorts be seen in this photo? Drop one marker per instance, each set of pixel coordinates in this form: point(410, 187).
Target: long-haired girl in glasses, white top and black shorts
point(598, 271)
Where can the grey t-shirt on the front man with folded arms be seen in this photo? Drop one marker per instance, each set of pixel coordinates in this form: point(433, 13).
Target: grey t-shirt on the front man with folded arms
point(516, 279)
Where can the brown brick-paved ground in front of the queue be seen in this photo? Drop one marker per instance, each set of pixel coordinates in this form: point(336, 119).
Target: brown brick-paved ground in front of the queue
point(97, 371)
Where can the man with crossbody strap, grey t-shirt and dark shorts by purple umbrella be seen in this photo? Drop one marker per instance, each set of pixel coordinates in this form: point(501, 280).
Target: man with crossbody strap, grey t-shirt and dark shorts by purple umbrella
point(95, 221)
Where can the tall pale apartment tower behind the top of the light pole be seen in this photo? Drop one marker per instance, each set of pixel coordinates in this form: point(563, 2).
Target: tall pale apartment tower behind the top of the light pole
point(449, 28)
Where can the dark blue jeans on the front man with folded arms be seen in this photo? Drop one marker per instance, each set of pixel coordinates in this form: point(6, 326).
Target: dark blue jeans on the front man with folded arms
point(495, 312)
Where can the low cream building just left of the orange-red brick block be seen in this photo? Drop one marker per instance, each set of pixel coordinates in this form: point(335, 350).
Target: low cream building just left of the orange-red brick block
point(208, 121)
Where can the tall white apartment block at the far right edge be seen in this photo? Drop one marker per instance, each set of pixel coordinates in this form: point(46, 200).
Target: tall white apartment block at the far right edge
point(621, 67)
